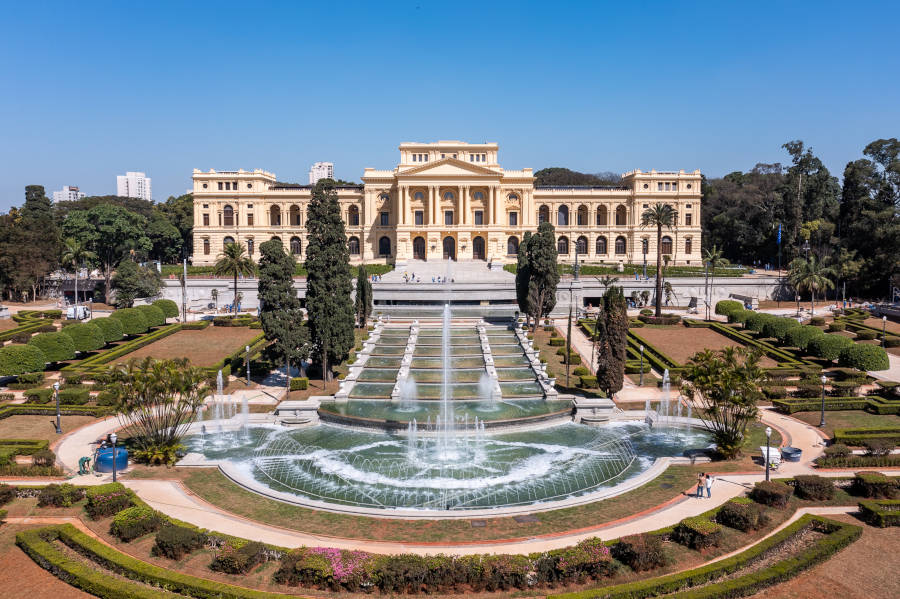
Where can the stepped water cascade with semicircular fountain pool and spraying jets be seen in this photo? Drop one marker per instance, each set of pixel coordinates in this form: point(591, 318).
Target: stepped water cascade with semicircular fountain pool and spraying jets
point(440, 417)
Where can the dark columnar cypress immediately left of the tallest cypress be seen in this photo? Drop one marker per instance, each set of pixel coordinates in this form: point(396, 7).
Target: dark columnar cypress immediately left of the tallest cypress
point(280, 313)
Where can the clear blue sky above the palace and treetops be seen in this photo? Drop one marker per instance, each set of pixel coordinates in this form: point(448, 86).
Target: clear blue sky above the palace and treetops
point(93, 89)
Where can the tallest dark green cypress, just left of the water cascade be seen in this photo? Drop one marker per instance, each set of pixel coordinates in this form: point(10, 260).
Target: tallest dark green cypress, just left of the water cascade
point(328, 284)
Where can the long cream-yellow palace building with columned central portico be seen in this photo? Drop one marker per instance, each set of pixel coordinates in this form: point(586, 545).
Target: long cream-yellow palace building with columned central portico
point(452, 199)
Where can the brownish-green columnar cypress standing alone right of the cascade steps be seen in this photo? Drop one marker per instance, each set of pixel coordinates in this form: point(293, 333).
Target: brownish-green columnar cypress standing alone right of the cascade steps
point(612, 340)
